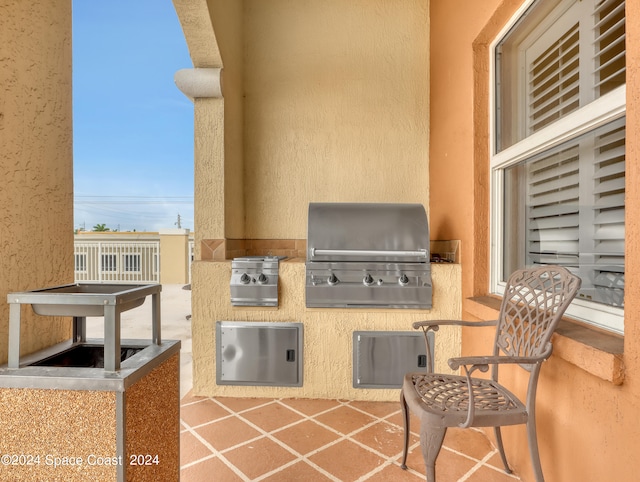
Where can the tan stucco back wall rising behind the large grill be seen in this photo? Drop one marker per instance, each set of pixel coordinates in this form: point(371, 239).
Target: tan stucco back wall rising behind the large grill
point(336, 108)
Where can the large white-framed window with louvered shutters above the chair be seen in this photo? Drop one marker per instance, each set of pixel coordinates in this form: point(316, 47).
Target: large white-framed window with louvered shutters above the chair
point(559, 162)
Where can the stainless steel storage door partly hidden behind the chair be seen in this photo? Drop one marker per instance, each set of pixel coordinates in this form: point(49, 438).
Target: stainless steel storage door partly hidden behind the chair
point(381, 358)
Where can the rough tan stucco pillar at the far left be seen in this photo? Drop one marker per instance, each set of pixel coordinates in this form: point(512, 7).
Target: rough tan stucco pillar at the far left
point(36, 167)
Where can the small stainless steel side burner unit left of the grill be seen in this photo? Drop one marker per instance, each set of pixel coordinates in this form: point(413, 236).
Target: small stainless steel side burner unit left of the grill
point(254, 280)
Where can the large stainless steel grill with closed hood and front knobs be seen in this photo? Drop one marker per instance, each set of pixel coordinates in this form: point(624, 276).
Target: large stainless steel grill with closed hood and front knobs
point(368, 255)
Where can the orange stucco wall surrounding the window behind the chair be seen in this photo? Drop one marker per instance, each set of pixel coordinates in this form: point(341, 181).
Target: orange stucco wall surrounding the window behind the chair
point(587, 427)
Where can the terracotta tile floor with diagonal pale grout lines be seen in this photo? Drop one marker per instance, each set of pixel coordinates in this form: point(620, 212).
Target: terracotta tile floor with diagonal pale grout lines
point(243, 439)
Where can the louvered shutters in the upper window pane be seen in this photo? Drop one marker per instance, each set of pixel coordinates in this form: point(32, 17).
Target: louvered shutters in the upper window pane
point(578, 59)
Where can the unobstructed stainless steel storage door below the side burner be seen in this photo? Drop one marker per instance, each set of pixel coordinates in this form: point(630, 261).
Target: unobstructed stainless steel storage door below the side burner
point(259, 353)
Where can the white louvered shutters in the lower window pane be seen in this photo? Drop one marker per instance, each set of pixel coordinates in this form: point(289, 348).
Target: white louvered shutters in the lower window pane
point(575, 211)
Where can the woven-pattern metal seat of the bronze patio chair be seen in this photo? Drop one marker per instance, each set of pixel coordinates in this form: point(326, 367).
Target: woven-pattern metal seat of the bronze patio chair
point(447, 397)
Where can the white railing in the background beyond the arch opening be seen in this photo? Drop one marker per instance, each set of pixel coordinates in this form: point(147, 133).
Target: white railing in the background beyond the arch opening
point(117, 262)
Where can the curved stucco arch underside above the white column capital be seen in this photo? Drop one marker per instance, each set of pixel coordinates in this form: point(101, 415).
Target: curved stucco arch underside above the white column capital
point(198, 31)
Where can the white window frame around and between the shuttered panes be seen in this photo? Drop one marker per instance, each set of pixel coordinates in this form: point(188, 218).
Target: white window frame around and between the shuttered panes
point(601, 111)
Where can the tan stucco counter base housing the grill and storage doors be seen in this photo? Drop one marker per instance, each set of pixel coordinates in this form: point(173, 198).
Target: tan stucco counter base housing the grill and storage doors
point(327, 332)
